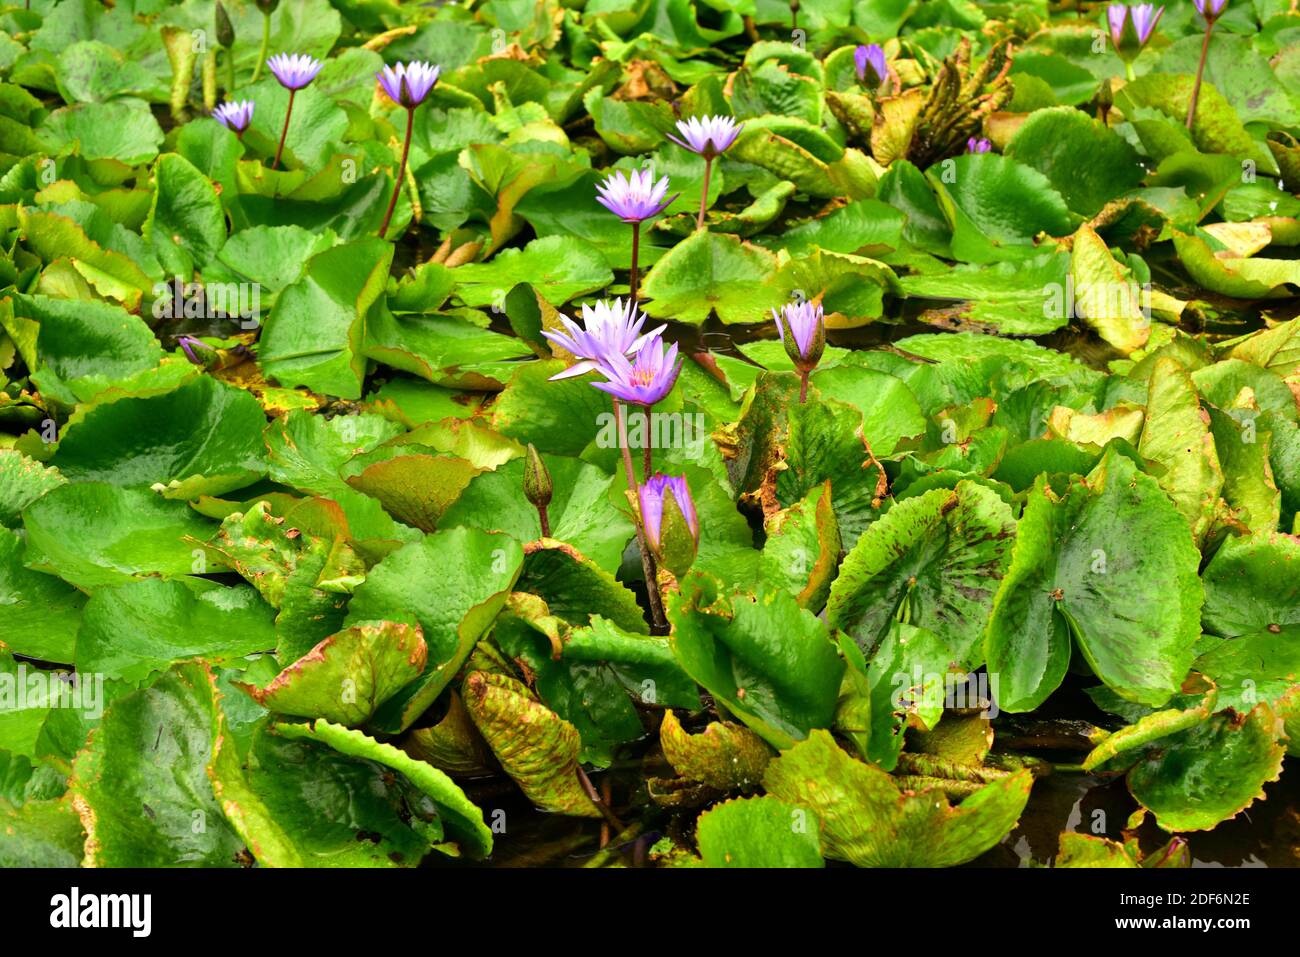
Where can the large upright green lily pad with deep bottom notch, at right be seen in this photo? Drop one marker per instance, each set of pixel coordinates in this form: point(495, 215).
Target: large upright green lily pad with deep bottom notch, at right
point(1106, 565)
